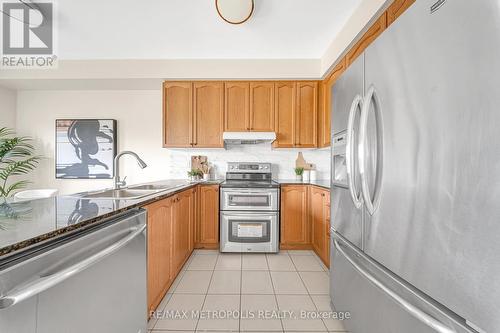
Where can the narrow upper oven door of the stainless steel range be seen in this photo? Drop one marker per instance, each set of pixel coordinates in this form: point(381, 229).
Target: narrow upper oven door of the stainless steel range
point(249, 199)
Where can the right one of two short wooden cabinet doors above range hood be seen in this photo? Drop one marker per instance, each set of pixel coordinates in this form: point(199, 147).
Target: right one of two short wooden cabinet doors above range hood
point(262, 106)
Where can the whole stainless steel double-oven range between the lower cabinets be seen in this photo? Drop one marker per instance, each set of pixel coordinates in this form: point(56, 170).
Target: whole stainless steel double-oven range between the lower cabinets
point(249, 216)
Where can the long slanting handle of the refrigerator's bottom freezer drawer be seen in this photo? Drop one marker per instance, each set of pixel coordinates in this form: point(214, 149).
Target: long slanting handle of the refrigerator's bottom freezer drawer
point(410, 308)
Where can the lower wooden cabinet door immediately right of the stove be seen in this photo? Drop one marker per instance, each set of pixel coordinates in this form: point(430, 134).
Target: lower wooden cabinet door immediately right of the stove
point(294, 216)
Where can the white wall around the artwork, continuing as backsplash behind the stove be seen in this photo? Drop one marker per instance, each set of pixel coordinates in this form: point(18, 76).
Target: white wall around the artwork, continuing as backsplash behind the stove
point(138, 113)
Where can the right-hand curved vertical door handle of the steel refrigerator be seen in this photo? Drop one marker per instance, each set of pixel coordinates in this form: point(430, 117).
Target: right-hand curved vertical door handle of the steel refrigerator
point(371, 98)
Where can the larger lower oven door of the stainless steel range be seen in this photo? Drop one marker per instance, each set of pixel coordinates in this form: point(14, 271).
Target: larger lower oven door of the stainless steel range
point(249, 232)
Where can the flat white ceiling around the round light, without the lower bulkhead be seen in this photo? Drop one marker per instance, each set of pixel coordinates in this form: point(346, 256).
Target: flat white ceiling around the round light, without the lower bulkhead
point(191, 29)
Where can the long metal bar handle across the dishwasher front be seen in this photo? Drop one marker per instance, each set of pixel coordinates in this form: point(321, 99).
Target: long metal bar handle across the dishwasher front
point(41, 284)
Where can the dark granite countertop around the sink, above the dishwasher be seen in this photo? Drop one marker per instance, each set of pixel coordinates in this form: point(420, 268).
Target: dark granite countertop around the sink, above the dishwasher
point(37, 221)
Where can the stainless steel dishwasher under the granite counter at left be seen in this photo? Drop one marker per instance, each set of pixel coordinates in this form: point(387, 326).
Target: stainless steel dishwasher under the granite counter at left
point(91, 282)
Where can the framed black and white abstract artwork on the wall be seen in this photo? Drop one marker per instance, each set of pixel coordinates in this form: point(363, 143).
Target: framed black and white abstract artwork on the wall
point(85, 148)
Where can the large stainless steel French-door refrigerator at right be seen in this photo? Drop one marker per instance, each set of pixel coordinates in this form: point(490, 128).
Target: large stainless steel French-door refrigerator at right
point(416, 174)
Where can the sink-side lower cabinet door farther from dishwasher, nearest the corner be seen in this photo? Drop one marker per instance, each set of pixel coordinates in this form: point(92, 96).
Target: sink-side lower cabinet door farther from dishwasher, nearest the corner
point(183, 229)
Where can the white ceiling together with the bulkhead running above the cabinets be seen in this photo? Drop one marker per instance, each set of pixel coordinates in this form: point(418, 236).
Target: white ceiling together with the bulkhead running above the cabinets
point(131, 44)
